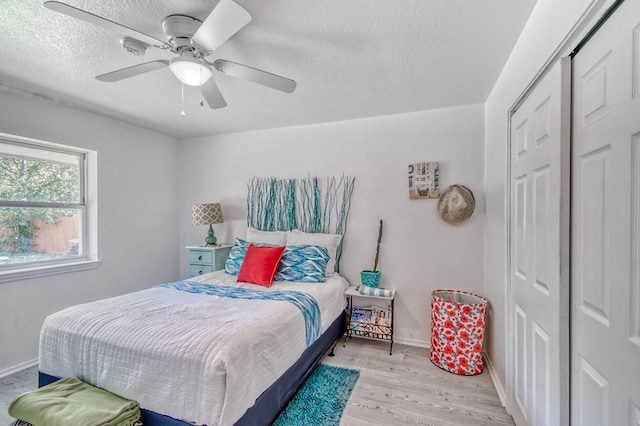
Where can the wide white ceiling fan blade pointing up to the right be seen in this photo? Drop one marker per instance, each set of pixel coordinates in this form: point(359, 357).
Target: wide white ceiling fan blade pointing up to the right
point(226, 19)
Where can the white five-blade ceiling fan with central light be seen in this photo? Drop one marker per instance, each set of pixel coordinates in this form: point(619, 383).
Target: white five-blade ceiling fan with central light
point(192, 40)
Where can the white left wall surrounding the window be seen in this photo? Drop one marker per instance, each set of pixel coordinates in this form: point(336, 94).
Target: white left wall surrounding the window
point(137, 217)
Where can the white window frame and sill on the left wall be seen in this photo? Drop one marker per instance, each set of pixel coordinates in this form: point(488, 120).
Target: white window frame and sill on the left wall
point(88, 256)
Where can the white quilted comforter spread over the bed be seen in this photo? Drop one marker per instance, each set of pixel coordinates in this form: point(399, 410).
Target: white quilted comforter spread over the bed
point(200, 358)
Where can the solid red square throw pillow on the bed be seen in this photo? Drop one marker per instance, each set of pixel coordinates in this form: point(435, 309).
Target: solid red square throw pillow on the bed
point(260, 265)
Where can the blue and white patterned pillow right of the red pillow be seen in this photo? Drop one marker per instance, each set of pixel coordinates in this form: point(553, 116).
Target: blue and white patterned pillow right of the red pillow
point(303, 263)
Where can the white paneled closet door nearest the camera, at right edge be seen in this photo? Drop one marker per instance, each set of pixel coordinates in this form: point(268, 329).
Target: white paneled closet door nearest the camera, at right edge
point(606, 225)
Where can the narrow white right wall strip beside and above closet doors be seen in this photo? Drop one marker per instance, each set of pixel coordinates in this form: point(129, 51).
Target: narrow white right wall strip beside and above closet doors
point(549, 24)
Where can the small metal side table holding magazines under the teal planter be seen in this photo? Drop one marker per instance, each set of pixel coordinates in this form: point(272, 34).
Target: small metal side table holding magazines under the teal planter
point(373, 322)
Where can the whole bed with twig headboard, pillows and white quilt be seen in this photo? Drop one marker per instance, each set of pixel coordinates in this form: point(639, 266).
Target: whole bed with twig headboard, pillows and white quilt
point(220, 349)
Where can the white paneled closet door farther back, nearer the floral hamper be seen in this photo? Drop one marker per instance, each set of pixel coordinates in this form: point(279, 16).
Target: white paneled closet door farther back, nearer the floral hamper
point(538, 384)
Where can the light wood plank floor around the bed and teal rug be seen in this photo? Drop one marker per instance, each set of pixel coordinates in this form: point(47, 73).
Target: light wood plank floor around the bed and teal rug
point(402, 389)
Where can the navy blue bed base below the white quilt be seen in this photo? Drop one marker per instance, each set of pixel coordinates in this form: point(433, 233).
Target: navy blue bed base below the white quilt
point(275, 398)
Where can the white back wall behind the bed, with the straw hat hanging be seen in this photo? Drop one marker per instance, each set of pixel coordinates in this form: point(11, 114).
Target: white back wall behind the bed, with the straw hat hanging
point(419, 253)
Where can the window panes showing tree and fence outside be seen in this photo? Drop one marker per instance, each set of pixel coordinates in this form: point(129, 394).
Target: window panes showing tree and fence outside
point(43, 205)
